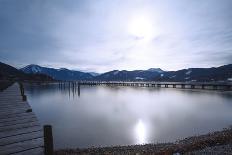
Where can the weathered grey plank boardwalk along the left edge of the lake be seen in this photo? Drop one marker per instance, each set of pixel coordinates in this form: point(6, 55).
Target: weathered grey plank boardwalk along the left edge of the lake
point(20, 131)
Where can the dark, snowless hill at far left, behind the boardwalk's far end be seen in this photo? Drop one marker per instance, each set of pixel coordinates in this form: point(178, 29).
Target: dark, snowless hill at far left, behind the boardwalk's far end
point(8, 72)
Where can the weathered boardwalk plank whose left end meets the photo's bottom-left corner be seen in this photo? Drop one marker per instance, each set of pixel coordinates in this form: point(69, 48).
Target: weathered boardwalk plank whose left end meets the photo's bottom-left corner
point(21, 146)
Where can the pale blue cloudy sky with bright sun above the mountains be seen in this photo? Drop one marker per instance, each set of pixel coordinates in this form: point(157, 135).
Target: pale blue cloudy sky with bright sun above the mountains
point(103, 35)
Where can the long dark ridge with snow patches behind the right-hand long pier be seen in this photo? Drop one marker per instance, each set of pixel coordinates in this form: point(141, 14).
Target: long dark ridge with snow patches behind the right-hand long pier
point(223, 73)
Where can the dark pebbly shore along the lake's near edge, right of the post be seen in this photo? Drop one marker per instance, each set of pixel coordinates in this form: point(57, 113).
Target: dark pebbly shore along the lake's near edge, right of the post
point(184, 146)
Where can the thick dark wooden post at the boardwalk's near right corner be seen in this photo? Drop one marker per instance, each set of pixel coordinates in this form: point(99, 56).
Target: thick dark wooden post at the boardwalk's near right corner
point(48, 140)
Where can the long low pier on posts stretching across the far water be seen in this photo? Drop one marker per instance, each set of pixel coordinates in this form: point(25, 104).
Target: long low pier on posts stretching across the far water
point(183, 85)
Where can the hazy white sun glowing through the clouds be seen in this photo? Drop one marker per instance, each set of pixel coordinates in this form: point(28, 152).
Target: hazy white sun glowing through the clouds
point(141, 27)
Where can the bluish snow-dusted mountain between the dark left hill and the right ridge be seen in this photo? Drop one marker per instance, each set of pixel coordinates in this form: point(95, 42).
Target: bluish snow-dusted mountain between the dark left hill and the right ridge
point(58, 74)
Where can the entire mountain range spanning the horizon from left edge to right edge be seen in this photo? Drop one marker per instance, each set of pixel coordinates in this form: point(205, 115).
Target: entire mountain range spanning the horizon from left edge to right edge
point(222, 73)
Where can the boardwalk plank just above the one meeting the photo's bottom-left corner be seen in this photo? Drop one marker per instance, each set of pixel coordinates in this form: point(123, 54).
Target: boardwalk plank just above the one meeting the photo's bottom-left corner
point(21, 138)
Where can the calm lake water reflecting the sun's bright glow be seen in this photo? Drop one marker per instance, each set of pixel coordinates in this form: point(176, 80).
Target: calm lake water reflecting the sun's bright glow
point(103, 116)
